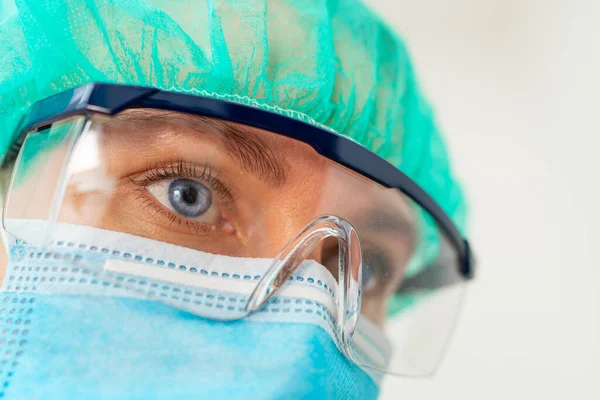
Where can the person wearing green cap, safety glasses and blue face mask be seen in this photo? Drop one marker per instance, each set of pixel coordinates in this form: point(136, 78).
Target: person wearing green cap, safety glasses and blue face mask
point(224, 199)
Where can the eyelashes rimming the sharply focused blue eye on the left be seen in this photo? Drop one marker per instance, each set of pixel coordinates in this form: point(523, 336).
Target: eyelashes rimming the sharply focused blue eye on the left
point(204, 173)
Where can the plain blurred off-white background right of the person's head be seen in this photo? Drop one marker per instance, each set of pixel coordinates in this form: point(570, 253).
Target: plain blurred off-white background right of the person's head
point(516, 87)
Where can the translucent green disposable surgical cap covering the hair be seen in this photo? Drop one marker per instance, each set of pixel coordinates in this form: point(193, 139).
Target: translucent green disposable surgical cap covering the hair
point(327, 62)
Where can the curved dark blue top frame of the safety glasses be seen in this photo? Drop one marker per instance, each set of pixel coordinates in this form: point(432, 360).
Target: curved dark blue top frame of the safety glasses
point(110, 99)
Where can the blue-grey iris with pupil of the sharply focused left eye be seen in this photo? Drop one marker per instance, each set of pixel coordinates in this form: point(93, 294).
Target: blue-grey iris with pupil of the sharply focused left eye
point(189, 198)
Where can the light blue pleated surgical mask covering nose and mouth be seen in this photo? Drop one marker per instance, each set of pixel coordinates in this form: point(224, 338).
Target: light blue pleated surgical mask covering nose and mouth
point(67, 334)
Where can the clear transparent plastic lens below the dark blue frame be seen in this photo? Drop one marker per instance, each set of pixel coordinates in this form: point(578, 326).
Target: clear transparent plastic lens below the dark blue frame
point(223, 189)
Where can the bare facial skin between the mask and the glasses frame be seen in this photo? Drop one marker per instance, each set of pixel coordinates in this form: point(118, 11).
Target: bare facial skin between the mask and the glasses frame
point(265, 189)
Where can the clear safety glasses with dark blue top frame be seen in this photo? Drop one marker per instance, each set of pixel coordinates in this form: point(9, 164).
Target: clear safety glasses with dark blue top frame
point(234, 182)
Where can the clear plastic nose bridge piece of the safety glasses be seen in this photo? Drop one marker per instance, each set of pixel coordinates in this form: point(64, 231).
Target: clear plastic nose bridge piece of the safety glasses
point(349, 272)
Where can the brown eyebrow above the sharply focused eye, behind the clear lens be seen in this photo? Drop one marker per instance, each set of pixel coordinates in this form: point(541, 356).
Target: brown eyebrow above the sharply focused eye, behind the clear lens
point(242, 144)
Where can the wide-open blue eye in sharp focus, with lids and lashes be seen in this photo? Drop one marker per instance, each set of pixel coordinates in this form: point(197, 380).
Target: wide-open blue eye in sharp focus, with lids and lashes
point(187, 195)
